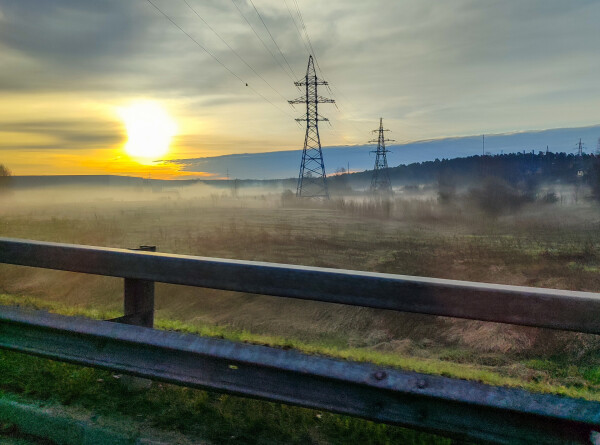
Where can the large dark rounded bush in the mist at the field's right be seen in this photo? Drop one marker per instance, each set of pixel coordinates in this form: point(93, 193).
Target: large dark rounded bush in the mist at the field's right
point(495, 197)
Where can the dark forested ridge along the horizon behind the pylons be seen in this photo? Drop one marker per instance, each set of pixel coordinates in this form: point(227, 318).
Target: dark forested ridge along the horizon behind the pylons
point(515, 168)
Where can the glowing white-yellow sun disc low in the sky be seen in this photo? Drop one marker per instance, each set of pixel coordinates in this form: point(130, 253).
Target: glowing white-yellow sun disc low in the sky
point(149, 130)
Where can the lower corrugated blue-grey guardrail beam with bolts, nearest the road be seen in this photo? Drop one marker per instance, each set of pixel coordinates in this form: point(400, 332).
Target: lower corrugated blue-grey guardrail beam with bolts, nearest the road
point(459, 408)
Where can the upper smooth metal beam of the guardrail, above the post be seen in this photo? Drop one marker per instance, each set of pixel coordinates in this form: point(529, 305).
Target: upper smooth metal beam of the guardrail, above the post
point(547, 308)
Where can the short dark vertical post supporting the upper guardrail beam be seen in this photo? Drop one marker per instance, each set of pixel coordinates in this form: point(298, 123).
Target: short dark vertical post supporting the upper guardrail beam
point(139, 299)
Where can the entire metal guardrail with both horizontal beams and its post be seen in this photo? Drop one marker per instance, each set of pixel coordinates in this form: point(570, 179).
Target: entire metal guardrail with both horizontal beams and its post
point(453, 407)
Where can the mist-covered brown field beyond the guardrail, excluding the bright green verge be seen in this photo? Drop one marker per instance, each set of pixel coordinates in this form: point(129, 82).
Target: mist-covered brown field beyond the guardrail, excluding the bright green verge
point(526, 240)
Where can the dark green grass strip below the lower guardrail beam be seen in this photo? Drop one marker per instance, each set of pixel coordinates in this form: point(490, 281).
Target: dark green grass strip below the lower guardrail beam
point(199, 414)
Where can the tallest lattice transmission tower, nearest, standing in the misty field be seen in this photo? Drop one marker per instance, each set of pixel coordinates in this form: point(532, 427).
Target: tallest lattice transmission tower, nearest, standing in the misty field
point(312, 180)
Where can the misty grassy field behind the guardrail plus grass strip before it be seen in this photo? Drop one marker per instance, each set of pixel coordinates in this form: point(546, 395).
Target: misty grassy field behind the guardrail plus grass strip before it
point(546, 245)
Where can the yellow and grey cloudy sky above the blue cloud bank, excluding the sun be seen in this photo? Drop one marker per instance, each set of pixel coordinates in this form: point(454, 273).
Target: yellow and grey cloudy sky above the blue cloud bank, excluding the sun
point(431, 69)
